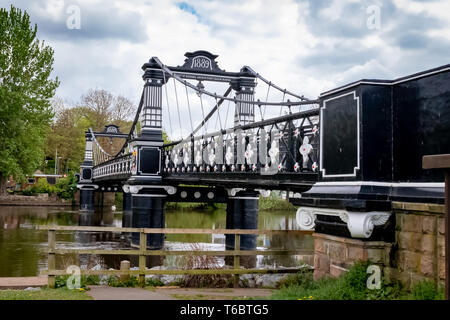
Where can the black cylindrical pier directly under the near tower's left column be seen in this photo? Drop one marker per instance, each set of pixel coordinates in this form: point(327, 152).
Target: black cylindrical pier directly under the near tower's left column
point(149, 212)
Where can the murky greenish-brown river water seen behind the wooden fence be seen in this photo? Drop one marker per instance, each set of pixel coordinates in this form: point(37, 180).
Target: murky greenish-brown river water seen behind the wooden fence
point(23, 248)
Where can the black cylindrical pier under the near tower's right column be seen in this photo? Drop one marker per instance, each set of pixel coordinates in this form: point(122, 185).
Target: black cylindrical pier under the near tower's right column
point(242, 213)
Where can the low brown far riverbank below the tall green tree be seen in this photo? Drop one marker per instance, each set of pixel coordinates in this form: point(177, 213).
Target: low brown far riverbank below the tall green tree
point(42, 199)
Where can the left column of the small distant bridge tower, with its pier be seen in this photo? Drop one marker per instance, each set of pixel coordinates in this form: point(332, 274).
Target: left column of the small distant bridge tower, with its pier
point(85, 183)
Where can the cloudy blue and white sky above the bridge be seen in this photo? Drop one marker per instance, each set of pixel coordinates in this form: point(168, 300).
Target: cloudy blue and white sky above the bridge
point(307, 46)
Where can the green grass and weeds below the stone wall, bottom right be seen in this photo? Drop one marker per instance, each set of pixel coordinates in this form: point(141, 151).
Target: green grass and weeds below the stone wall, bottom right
point(351, 286)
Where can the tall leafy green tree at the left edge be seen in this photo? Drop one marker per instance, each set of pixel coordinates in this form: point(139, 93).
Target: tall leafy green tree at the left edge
point(26, 89)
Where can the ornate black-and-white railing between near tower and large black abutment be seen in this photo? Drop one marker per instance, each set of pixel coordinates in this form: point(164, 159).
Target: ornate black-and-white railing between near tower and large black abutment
point(288, 143)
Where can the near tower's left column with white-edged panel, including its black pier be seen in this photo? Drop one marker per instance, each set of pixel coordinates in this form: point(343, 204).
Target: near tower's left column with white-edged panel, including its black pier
point(147, 195)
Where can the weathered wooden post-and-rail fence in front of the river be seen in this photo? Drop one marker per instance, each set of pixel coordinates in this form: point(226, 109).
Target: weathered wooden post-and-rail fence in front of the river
point(143, 252)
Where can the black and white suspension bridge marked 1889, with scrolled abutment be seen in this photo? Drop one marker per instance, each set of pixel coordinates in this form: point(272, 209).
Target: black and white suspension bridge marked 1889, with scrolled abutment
point(346, 155)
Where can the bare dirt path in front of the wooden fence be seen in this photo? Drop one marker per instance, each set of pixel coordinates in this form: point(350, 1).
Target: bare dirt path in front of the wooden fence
point(161, 293)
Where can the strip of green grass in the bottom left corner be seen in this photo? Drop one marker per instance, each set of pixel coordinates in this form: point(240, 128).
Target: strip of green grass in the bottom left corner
point(44, 294)
